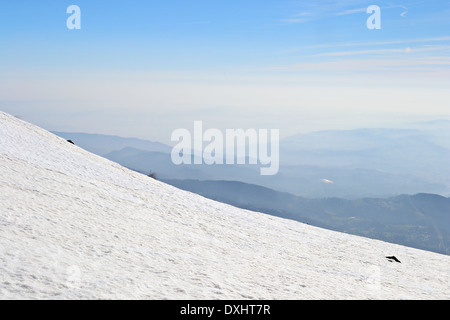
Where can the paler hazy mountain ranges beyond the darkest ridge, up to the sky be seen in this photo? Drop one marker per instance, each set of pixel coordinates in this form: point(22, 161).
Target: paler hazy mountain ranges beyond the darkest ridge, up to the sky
point(349, 164)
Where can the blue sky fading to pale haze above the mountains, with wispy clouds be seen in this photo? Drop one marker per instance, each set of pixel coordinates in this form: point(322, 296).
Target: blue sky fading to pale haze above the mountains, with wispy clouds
point(144, 68)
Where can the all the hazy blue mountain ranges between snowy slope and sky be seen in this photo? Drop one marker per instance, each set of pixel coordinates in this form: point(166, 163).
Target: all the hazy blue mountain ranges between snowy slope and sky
point(378, 183)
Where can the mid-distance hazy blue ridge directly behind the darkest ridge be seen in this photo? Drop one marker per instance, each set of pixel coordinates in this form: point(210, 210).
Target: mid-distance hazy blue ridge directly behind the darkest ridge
point(304, 180)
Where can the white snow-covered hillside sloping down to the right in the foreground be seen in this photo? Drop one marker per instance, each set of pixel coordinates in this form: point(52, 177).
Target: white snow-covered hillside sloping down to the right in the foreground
point(74, 225)
